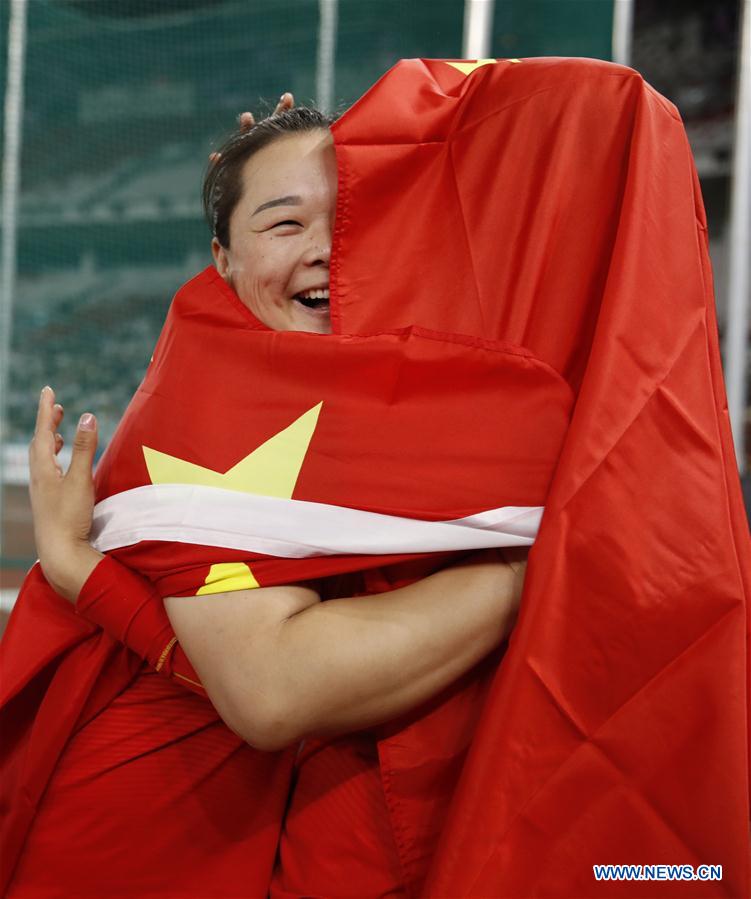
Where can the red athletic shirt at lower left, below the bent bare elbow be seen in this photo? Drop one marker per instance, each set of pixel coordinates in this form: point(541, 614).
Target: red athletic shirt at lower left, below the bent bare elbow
point(154, 796)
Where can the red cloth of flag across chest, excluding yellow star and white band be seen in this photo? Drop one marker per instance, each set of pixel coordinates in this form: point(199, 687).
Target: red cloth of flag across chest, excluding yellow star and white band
point(388, 399)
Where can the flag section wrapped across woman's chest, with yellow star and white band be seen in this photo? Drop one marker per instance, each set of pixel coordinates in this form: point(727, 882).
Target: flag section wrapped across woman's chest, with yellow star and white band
point(259, 457)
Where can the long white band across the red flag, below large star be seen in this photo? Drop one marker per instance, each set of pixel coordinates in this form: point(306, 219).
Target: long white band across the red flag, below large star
point(293, 529)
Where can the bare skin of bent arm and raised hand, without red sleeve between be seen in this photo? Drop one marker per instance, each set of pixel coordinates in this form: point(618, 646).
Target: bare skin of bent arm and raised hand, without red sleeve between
point(276, 662)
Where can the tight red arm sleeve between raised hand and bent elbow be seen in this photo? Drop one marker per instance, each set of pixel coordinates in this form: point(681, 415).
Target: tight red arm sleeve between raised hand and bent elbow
point(128, 608)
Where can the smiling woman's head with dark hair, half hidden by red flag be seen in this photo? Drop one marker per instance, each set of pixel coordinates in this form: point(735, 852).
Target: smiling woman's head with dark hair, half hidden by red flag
point(270, 199)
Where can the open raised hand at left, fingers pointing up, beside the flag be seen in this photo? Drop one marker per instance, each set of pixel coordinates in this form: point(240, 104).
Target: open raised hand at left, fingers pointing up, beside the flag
point(62, 504)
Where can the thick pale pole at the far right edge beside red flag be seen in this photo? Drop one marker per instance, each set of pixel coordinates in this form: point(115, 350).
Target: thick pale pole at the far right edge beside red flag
point(736, 333)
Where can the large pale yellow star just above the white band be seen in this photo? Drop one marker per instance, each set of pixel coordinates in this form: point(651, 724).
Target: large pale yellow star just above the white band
point(270, 470)
